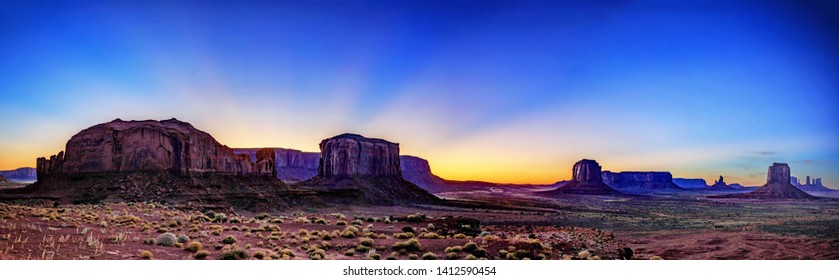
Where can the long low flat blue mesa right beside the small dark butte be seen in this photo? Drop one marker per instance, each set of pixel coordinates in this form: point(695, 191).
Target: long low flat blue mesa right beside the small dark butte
point(640, 181)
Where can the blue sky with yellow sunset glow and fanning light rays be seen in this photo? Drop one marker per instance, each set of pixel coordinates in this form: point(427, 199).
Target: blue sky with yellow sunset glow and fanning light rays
point(503, 91)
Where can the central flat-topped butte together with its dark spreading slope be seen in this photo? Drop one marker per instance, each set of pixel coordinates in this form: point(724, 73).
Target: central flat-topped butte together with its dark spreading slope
point(364, 170)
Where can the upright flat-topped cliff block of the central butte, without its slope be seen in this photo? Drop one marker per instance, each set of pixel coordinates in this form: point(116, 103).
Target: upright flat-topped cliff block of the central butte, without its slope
point(348, 155)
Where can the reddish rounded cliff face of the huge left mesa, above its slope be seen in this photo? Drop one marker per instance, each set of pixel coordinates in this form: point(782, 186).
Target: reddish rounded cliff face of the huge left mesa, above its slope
point(126, 146)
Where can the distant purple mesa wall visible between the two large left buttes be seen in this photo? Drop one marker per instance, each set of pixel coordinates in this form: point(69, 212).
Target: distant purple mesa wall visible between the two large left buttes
point(291, 165)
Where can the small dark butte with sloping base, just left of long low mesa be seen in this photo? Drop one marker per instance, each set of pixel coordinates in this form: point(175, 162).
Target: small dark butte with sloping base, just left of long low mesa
point(587, 180)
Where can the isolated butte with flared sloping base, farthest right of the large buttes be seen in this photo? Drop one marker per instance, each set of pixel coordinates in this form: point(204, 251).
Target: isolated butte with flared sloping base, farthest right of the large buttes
point(777, 186)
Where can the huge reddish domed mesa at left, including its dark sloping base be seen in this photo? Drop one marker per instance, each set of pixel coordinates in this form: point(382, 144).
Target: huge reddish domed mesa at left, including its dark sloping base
point(165, 160)
